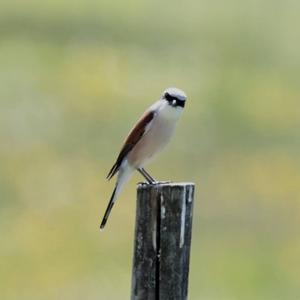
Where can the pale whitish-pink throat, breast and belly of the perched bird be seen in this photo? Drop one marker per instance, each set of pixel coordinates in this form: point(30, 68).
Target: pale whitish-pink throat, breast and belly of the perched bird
point(158, 135)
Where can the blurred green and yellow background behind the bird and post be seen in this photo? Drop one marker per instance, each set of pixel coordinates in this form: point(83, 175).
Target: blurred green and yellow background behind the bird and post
point(74, 77)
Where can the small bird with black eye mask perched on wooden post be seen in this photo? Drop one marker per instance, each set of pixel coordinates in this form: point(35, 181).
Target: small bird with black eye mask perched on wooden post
point(146, 139)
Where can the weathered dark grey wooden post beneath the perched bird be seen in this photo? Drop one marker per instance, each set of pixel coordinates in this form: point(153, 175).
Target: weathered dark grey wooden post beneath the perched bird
point(162, 241)
